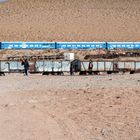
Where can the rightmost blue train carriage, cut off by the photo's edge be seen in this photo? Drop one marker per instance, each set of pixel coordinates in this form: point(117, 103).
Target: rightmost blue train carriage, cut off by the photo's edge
point(121, 45)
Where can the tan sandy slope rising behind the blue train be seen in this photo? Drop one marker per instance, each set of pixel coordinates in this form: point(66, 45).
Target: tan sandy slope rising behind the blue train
point(70, 20)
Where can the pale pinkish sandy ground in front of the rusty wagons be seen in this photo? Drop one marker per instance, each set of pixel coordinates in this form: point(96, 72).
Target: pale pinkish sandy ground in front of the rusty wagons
point(104, 107)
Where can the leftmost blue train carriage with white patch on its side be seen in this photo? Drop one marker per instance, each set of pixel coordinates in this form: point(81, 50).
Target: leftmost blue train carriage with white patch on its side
point(27, 45)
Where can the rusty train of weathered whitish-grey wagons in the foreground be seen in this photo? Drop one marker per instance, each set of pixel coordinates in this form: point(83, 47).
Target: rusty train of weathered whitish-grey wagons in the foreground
point(61, 67)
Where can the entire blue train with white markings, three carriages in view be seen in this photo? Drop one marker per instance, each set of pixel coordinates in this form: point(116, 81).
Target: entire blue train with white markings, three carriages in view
point(71, 45)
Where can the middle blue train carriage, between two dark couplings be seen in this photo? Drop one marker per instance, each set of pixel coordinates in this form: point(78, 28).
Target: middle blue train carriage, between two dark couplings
point(81, 45)
